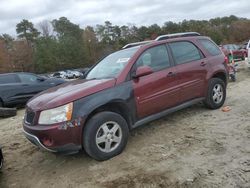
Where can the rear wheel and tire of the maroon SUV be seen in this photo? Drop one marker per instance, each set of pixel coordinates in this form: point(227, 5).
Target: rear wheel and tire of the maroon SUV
point(215, 100)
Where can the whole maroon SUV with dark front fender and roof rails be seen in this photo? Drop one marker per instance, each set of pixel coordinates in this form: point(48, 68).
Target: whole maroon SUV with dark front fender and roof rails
point(127, 89)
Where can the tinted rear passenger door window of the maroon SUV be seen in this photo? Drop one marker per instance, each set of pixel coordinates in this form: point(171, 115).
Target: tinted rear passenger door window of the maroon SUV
point(184, 52)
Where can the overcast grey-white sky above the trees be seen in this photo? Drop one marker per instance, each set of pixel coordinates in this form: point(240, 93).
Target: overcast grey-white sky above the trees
point(118, 12)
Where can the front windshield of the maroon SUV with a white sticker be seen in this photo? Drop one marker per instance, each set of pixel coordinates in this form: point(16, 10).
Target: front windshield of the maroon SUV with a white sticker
point(112, 65)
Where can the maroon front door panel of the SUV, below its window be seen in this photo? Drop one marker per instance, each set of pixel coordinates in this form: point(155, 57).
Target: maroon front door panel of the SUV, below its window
point(156, 92)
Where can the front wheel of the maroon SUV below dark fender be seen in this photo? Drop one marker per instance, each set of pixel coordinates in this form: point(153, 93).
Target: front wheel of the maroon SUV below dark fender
point(111, 141)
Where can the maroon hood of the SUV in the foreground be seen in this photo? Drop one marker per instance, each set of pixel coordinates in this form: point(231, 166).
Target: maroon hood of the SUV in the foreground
point(67, 93)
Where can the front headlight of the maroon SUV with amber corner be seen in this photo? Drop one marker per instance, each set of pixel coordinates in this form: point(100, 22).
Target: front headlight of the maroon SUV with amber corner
point(56, 115)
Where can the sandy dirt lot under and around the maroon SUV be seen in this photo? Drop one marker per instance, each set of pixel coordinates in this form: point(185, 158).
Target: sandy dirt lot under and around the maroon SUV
point(194, 147)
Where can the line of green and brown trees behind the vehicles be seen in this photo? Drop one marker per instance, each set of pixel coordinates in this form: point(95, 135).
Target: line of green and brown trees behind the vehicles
point(60, 44)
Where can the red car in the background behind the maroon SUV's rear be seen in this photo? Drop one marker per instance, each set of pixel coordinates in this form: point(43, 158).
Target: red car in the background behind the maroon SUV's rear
point(238, 53)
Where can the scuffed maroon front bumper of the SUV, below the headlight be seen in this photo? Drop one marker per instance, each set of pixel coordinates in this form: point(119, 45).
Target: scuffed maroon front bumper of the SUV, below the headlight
point(55, 138)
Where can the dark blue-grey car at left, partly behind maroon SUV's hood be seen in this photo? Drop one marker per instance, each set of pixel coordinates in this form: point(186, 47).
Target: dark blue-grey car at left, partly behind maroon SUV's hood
point(18, 88)
